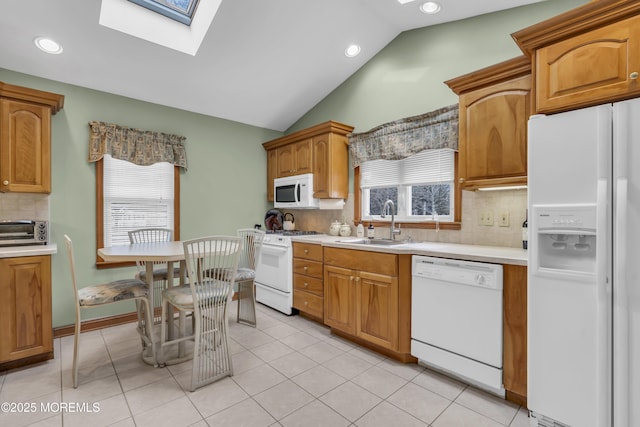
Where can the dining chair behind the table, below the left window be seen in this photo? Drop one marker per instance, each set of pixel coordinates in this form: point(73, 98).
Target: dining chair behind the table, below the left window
point(160, 273)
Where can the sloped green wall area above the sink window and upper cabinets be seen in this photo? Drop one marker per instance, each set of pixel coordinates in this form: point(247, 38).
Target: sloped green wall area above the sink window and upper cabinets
point(406, 78)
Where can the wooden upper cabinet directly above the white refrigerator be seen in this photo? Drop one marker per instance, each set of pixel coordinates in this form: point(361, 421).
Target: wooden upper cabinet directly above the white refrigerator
point(587, 56)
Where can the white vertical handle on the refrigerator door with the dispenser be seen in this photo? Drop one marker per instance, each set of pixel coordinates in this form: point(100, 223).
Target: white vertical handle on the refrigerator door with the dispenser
point(603, 290)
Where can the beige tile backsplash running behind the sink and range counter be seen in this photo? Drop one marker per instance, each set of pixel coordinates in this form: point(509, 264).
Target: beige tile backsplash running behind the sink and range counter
point(513, 202)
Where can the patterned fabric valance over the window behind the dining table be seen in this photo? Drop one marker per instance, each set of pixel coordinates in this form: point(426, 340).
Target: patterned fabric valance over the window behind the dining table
point(134, 145)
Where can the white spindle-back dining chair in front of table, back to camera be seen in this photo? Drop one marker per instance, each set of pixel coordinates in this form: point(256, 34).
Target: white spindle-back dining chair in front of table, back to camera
point(207, 296)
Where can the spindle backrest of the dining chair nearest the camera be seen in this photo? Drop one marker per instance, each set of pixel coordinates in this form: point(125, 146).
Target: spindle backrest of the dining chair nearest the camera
point(205, 258)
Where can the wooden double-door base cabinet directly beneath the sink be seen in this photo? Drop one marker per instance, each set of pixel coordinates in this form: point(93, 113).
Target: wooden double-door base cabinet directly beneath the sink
point(367, 296)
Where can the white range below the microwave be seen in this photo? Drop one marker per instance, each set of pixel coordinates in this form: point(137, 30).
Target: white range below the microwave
point(274, 272)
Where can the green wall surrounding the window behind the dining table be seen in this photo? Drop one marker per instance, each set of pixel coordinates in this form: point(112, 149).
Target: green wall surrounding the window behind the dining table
point(222, 190)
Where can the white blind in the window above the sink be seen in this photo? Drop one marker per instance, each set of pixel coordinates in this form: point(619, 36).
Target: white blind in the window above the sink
point(426, 167)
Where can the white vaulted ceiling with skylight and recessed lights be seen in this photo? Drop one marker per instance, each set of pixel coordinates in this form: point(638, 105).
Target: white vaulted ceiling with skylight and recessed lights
point(261, 62)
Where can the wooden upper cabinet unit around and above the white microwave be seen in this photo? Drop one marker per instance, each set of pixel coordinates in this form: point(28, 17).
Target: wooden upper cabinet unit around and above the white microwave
point(321, 150)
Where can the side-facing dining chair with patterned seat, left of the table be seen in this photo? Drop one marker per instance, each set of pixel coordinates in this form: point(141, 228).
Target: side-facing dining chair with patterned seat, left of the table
point(107, 293)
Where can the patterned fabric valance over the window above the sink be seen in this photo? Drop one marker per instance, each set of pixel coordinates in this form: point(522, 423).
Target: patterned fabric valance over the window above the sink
point(405, 137)
